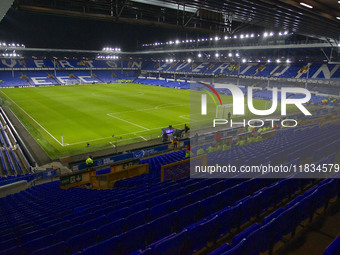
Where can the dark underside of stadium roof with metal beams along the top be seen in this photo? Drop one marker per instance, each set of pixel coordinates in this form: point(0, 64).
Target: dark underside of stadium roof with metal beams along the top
point(226, 16)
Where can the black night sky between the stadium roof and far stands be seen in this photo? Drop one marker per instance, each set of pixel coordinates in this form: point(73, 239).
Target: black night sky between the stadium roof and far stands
point(49, 31)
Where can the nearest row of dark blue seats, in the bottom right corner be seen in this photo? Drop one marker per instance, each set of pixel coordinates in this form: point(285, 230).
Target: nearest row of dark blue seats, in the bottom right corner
point(261, 238)
